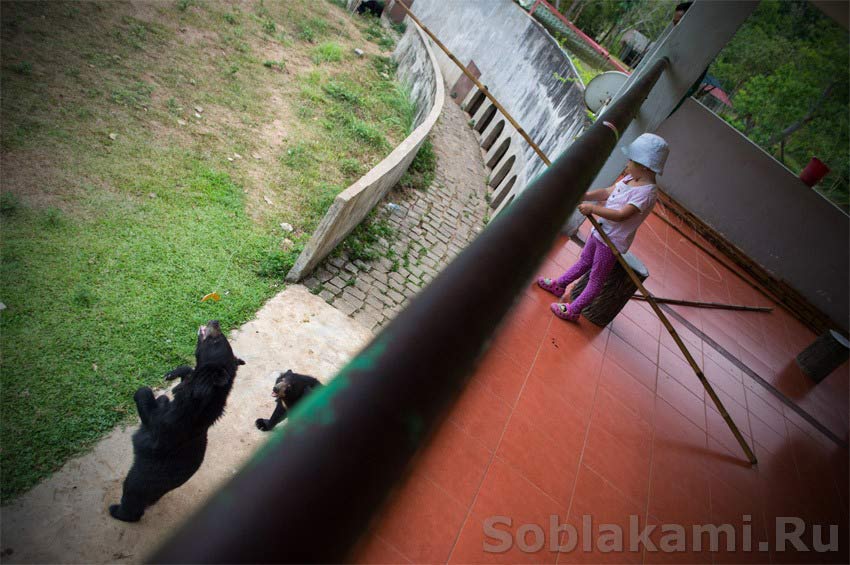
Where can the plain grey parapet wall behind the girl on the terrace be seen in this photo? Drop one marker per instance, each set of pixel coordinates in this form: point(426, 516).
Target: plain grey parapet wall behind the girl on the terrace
point(759, 205)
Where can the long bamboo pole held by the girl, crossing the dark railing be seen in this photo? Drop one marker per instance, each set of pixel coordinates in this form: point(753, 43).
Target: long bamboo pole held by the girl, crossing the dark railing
point(658, 312)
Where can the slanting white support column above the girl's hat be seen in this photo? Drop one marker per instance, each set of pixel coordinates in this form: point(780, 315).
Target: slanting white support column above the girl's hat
point(690, 46)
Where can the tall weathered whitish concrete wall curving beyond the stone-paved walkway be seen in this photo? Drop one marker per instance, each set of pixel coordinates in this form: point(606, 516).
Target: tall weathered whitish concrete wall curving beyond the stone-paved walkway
point(519, 61)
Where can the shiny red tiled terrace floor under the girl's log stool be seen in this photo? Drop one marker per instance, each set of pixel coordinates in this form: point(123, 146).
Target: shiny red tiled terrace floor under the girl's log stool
point(612, 422)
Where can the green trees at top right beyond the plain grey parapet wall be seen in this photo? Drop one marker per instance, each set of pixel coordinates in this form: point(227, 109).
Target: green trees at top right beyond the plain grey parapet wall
point(787, 73)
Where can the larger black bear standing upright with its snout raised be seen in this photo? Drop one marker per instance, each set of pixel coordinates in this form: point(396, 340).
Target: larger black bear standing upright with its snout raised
point(170, 444)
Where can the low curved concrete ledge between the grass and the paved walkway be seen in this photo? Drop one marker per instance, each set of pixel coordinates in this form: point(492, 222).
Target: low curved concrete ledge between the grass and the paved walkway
point(418, 68)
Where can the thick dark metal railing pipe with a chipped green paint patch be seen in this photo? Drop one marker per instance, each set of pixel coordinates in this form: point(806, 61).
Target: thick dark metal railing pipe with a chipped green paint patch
point(311, 490)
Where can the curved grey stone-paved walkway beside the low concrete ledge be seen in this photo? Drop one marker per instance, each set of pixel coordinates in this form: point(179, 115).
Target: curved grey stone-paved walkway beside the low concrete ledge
point(432, 226)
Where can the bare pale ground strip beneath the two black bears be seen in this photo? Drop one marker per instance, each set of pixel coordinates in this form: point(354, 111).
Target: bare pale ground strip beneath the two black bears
point(65, 518)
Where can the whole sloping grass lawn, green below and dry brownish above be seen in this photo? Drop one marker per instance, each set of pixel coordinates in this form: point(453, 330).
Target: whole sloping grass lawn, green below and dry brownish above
point(149, 154)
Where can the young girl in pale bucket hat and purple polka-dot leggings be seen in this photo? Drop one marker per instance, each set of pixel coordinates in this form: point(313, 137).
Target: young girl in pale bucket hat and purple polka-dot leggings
point(627, 204)
